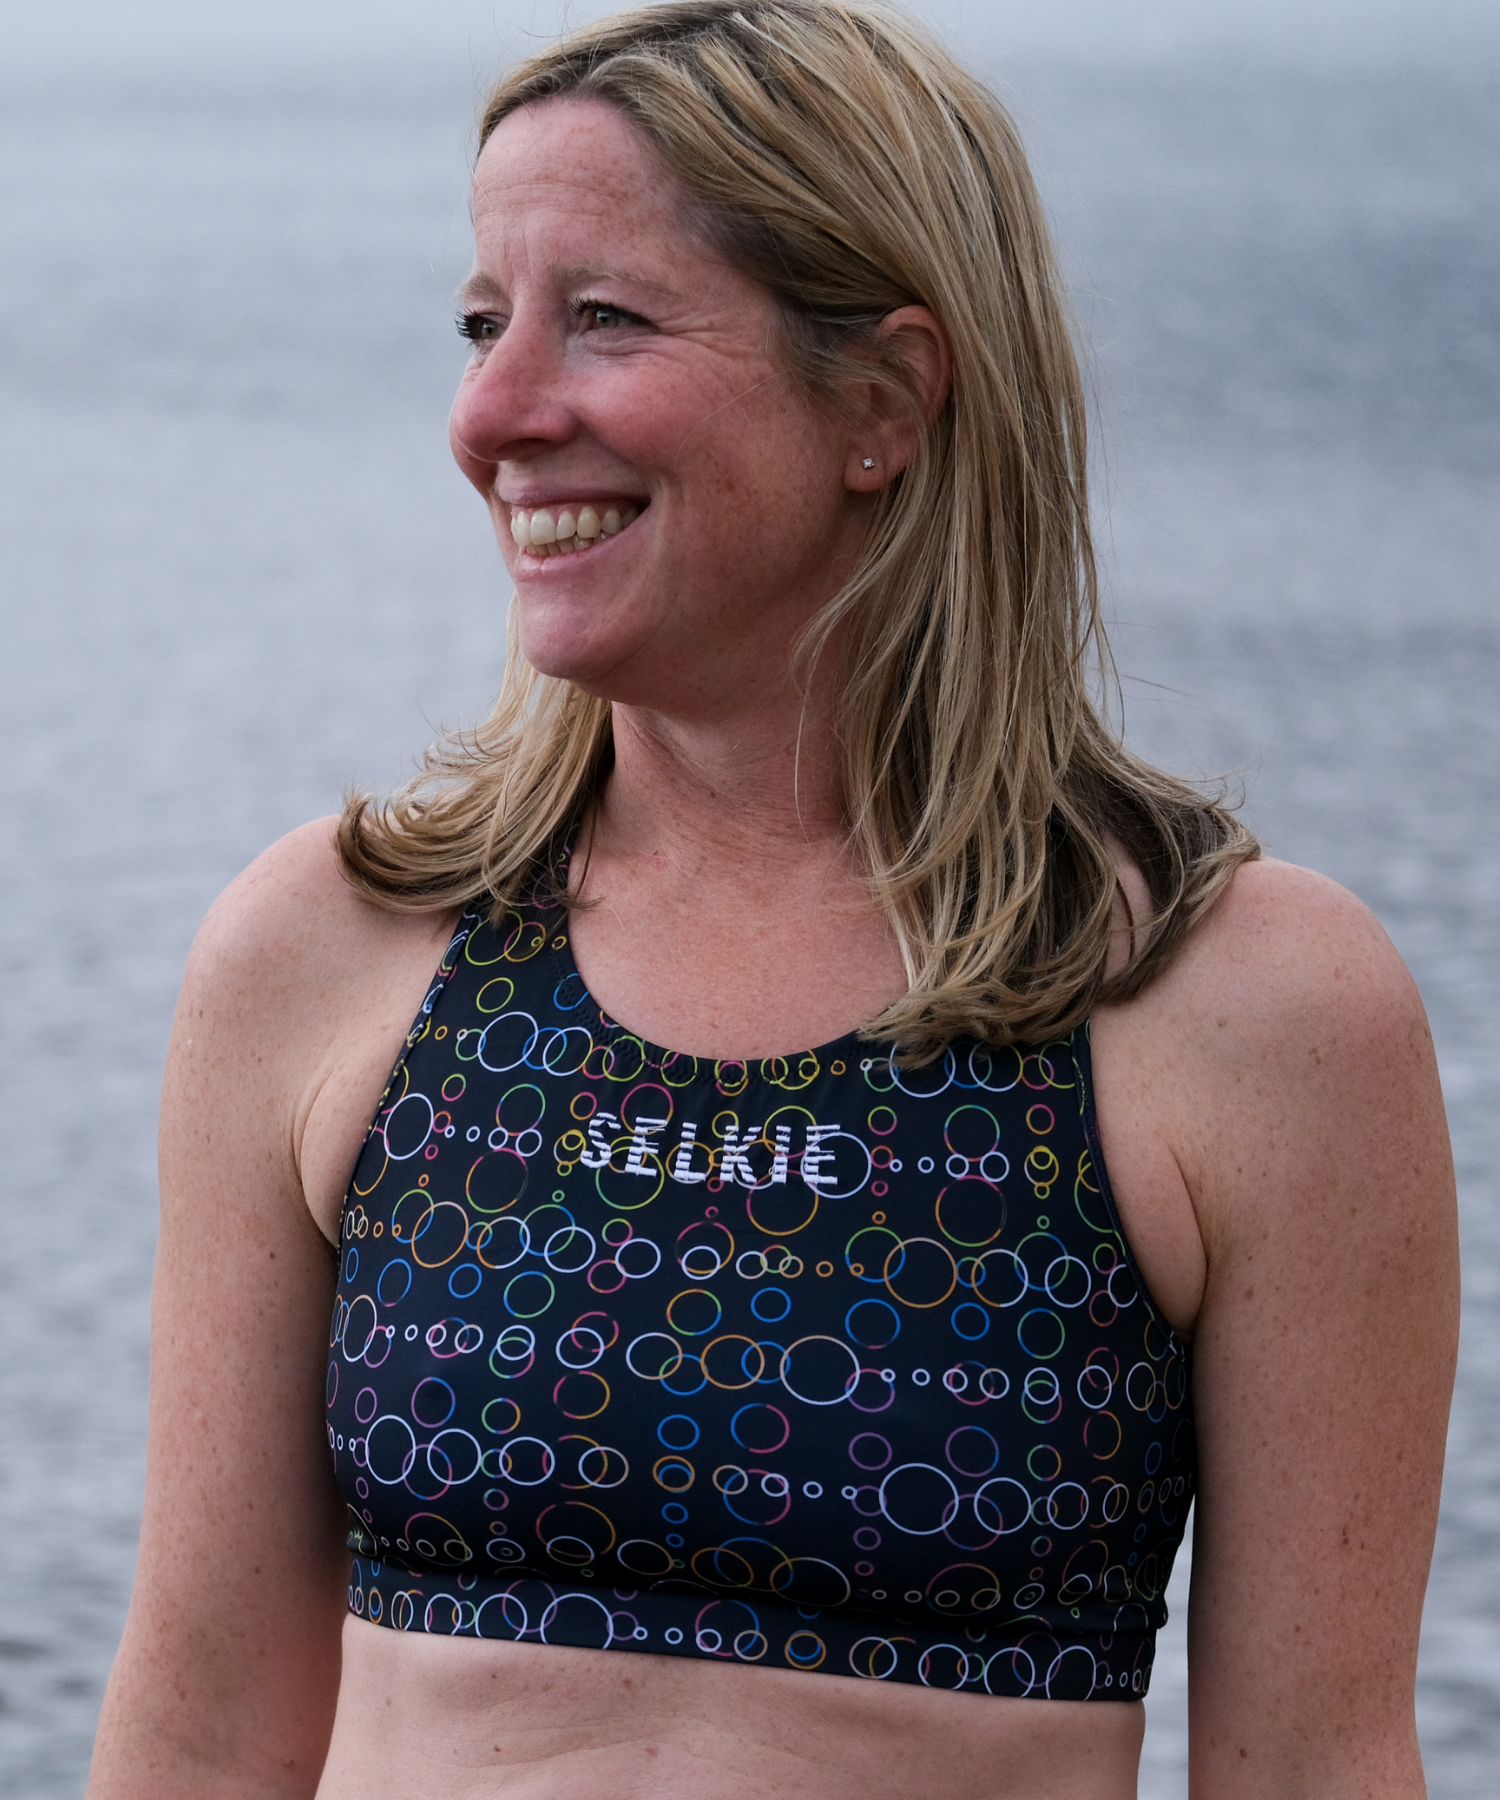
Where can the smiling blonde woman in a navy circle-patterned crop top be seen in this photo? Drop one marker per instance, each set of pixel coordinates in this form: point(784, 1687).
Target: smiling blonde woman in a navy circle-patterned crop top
point(678, 1367)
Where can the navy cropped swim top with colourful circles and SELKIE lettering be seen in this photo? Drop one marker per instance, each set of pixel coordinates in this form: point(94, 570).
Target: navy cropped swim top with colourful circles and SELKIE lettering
point(817, 1363)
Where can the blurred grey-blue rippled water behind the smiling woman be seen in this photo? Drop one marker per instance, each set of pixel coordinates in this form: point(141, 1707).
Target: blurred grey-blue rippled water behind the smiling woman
point(239, 571)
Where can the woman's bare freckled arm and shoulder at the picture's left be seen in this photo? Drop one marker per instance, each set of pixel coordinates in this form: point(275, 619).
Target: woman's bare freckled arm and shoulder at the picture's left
point(228, 1675)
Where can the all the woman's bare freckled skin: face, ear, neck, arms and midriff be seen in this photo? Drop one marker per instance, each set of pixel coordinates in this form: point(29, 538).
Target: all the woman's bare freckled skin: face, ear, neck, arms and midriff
point(1276, 1084)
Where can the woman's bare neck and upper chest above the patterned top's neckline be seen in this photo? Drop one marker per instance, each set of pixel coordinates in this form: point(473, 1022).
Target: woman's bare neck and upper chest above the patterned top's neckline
point(725, 908)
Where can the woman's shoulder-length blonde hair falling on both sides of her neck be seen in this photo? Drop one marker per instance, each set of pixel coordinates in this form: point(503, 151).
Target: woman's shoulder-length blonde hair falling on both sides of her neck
point(844, 159)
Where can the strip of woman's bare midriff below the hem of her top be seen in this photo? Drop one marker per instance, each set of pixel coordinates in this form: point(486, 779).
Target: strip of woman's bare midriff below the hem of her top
point(429, 1718)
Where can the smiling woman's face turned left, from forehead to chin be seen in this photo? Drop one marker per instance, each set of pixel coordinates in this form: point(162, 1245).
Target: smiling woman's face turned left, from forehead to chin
point(622, 370)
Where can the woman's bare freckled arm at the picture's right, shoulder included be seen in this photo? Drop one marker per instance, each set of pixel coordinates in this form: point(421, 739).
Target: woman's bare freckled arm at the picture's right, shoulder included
point(1324, 1349)
